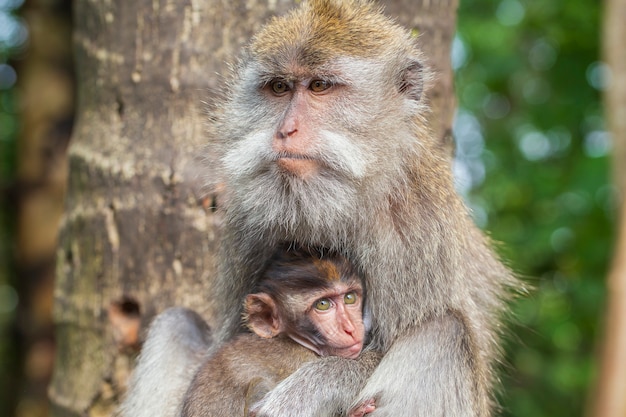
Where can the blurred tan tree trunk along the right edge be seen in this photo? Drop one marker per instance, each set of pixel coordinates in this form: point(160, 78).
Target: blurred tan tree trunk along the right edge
point(610, 395)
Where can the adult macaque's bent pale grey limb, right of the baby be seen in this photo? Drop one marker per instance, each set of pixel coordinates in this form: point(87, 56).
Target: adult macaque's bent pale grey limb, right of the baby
point(428, 372)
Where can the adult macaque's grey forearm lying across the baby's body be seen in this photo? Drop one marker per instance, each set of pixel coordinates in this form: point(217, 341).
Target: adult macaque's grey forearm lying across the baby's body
point(326, 387)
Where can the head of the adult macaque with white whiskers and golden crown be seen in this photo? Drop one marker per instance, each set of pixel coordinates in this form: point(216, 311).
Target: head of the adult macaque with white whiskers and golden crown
point(311, 134)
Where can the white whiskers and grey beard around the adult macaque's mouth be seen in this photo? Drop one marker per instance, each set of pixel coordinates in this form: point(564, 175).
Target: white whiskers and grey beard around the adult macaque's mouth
point(320, 206)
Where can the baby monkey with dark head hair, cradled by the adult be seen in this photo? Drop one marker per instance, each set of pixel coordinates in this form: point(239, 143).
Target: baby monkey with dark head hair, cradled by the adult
point(306, 304)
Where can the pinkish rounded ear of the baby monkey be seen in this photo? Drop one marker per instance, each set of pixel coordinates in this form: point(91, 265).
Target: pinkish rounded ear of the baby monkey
point(261, 314)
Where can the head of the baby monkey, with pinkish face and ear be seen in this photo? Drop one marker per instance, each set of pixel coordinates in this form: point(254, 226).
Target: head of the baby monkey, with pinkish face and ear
point(314, 297)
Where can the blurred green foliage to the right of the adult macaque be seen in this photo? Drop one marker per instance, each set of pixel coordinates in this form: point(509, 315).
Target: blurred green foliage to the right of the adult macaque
point(529, 83)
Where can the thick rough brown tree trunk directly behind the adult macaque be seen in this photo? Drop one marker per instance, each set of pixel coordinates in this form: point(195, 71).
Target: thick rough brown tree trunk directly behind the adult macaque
point(137, 230)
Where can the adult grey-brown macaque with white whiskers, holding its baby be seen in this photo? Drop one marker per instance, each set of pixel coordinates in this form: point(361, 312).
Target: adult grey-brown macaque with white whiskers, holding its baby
point(323, 140)
